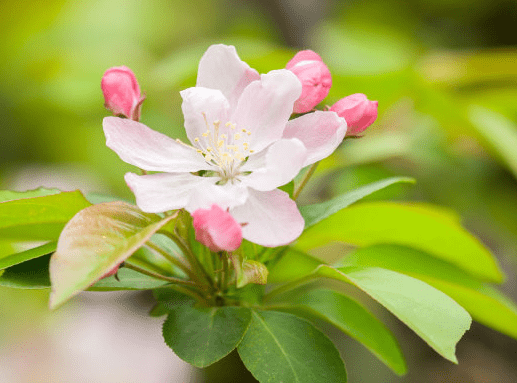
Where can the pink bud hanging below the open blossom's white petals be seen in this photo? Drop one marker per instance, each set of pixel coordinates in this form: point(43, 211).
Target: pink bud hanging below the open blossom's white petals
point(216, 229)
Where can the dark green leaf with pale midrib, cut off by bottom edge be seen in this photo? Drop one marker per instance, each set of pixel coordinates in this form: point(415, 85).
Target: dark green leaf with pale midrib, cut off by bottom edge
point(281, 347)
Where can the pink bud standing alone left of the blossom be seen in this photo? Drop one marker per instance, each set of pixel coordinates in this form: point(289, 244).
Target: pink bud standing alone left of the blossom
point(121, 92)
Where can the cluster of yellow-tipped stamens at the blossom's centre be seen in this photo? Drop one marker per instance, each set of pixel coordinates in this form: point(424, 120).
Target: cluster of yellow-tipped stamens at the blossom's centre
point(226, 147)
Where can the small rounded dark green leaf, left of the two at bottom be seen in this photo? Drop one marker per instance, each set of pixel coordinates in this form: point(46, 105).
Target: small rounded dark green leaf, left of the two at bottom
point(203, 335)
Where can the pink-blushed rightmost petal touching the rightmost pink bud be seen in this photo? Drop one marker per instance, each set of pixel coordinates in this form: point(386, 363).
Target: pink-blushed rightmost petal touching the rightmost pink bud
point(321, 133)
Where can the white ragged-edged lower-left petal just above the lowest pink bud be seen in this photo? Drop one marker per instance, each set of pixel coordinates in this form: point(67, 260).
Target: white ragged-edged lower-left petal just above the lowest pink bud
point(156, 193)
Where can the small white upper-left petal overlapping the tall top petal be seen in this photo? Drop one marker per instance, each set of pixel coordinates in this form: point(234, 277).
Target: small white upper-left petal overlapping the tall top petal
point(201, 108)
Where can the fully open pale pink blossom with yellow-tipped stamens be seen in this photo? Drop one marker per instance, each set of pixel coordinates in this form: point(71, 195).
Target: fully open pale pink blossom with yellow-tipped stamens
point(243, 147)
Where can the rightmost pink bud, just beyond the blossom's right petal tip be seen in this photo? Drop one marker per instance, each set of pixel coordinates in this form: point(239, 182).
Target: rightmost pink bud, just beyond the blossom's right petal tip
point(358, 111)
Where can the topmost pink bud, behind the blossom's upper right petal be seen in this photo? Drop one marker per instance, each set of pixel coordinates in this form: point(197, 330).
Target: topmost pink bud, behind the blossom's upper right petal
point(314, 76)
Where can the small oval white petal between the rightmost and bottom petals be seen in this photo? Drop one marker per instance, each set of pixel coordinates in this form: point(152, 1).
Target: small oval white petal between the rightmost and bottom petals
point(276, 165)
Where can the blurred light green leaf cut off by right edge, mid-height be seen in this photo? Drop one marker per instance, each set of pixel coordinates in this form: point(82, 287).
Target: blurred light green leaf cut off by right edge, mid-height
point(499, 132)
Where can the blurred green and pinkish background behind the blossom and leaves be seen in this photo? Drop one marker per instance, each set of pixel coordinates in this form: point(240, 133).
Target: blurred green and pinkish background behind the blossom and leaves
point(445, 76)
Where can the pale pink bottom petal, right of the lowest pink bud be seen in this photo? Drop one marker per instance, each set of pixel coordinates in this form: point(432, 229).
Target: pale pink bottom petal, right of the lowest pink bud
point(271, 218)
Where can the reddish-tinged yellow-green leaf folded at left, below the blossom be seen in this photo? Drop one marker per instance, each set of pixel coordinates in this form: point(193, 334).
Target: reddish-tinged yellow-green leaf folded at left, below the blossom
point(95, 241)
